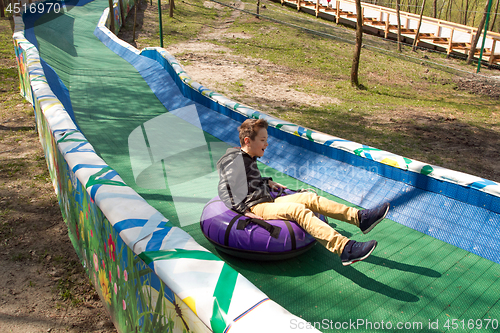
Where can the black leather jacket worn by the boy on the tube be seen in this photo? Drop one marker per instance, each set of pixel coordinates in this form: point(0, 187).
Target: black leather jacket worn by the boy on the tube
point(241, 185)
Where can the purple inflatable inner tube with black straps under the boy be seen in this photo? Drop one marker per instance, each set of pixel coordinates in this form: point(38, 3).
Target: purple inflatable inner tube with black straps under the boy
point(231, 230)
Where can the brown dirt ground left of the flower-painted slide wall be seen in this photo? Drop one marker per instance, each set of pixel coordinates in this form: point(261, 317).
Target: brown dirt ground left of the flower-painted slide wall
point(43, 287)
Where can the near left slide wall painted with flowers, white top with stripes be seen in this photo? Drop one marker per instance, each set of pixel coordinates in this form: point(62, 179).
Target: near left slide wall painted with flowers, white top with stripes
point(178, 286)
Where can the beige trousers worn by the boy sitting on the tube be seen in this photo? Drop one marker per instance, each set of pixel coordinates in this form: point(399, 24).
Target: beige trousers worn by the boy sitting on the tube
point(299, 207)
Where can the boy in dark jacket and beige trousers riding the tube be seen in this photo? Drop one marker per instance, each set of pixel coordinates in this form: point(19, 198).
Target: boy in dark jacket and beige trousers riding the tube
point(243, 189)
